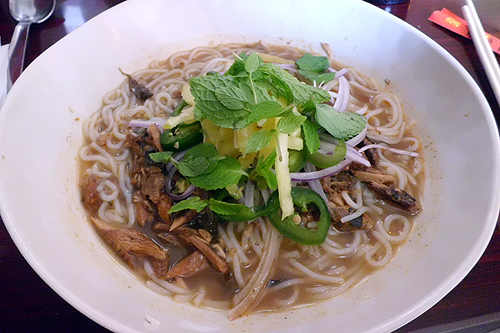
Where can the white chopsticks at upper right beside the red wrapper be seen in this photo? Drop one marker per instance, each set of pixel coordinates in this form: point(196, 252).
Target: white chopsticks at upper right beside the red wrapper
point(482, 45)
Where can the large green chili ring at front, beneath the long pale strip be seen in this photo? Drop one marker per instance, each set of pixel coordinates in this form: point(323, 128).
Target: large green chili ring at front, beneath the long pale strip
point(302, 197)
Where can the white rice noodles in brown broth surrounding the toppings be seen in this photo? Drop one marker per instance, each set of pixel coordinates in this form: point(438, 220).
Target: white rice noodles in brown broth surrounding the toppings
point(254, 250)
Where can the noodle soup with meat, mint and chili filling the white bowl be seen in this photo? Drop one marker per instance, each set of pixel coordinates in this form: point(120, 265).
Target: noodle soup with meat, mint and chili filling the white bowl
point(133, 176)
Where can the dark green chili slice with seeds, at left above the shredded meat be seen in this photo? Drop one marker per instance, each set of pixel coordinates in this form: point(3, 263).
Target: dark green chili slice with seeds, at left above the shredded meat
point(182, 136)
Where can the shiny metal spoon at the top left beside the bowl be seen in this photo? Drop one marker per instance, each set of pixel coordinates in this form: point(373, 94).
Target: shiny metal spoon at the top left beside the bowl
point(25, 12)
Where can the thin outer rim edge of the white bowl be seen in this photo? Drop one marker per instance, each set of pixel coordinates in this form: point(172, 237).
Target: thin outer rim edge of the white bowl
point(450, 283)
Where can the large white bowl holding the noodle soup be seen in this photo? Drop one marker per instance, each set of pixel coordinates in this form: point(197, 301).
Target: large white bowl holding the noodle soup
point(40, 134)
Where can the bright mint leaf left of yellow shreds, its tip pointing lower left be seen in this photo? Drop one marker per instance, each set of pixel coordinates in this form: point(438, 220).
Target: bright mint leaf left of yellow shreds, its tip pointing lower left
point(226, 171)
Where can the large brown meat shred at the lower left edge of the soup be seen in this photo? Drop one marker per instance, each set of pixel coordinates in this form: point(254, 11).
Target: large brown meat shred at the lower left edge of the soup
point(129, 244)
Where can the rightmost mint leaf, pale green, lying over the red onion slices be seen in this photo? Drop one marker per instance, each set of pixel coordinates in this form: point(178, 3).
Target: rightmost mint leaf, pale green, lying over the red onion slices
point(340, 125)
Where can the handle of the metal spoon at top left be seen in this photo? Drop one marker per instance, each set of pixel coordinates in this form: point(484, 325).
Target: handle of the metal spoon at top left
point(17, 50)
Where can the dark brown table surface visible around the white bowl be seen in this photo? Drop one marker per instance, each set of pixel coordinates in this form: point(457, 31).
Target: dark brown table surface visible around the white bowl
point(27, 304)
